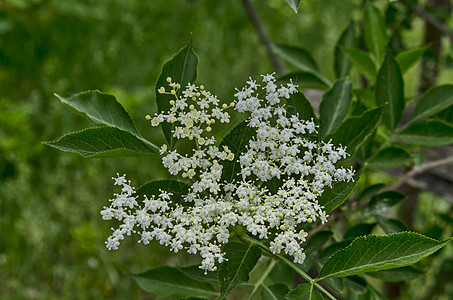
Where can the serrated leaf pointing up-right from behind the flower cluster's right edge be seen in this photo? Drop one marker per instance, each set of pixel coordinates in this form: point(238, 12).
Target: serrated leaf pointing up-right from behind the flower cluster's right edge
point(354, 130)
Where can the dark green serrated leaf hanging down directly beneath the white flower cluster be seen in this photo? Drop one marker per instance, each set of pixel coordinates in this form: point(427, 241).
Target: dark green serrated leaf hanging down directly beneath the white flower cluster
point(241, 261)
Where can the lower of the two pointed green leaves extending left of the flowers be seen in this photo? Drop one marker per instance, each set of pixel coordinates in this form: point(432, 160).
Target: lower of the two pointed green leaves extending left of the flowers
point(102, 142)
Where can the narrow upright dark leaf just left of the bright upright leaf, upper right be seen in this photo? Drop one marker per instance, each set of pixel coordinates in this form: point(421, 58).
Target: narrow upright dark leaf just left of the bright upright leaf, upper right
point(342, 62)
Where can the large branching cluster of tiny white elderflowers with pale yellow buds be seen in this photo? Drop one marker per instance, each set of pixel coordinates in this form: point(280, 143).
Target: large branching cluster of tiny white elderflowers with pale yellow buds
point(282, 173)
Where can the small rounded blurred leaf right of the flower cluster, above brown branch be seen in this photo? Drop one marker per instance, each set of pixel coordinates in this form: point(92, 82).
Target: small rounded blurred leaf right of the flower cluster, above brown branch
point(390, 158)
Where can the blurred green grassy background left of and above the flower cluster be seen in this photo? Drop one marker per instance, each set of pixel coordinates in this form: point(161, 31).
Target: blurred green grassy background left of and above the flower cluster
point(51, 233)
